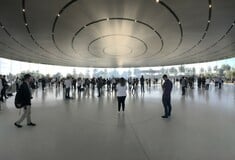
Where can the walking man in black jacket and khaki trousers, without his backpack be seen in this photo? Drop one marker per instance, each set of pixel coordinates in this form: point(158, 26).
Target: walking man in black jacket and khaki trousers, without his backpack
point(26, 97)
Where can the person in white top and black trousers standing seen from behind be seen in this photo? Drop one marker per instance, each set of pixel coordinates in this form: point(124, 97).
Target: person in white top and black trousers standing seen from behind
point(121, 94)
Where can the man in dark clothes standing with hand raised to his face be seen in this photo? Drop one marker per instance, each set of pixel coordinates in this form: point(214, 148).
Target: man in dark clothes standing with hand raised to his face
point(166, 96)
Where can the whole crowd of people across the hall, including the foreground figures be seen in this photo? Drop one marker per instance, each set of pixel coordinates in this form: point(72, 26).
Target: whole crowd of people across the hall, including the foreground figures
point(119, 86)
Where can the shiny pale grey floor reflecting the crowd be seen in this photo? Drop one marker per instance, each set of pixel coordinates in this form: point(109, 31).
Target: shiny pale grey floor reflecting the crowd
point(202, 127)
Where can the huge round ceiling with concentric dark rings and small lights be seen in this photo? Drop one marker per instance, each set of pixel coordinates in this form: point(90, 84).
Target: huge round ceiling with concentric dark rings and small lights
point(117, 33)
